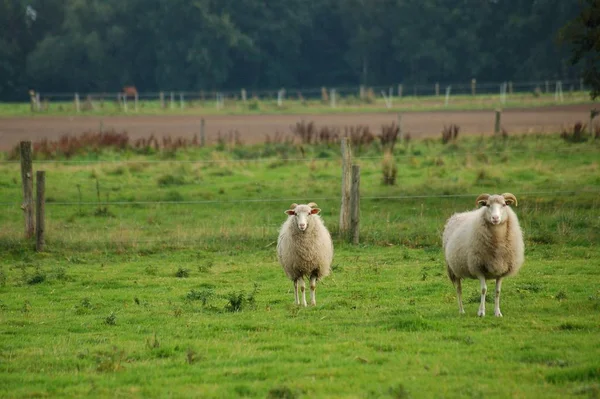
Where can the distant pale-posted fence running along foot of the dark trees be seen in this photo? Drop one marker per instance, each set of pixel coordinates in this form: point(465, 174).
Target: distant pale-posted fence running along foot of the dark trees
point(334, 96)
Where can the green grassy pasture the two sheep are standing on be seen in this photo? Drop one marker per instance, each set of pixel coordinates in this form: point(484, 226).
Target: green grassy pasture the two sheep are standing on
point(160, 277)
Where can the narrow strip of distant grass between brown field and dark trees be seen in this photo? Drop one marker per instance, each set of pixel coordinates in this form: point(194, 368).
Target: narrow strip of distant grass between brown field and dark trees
point(291, 105)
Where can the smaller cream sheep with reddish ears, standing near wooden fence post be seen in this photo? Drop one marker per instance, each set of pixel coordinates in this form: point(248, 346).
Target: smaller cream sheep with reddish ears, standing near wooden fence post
point(304, 248)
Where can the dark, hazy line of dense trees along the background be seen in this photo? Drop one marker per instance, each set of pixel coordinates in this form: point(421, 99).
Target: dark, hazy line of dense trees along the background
point(102, 45)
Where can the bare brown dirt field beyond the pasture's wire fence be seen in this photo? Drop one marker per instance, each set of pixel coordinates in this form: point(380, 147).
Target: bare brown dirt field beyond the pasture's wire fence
point(255, 128)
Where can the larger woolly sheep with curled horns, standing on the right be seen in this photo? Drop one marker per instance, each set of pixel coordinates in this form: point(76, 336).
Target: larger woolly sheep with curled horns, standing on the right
point(486, 243)
